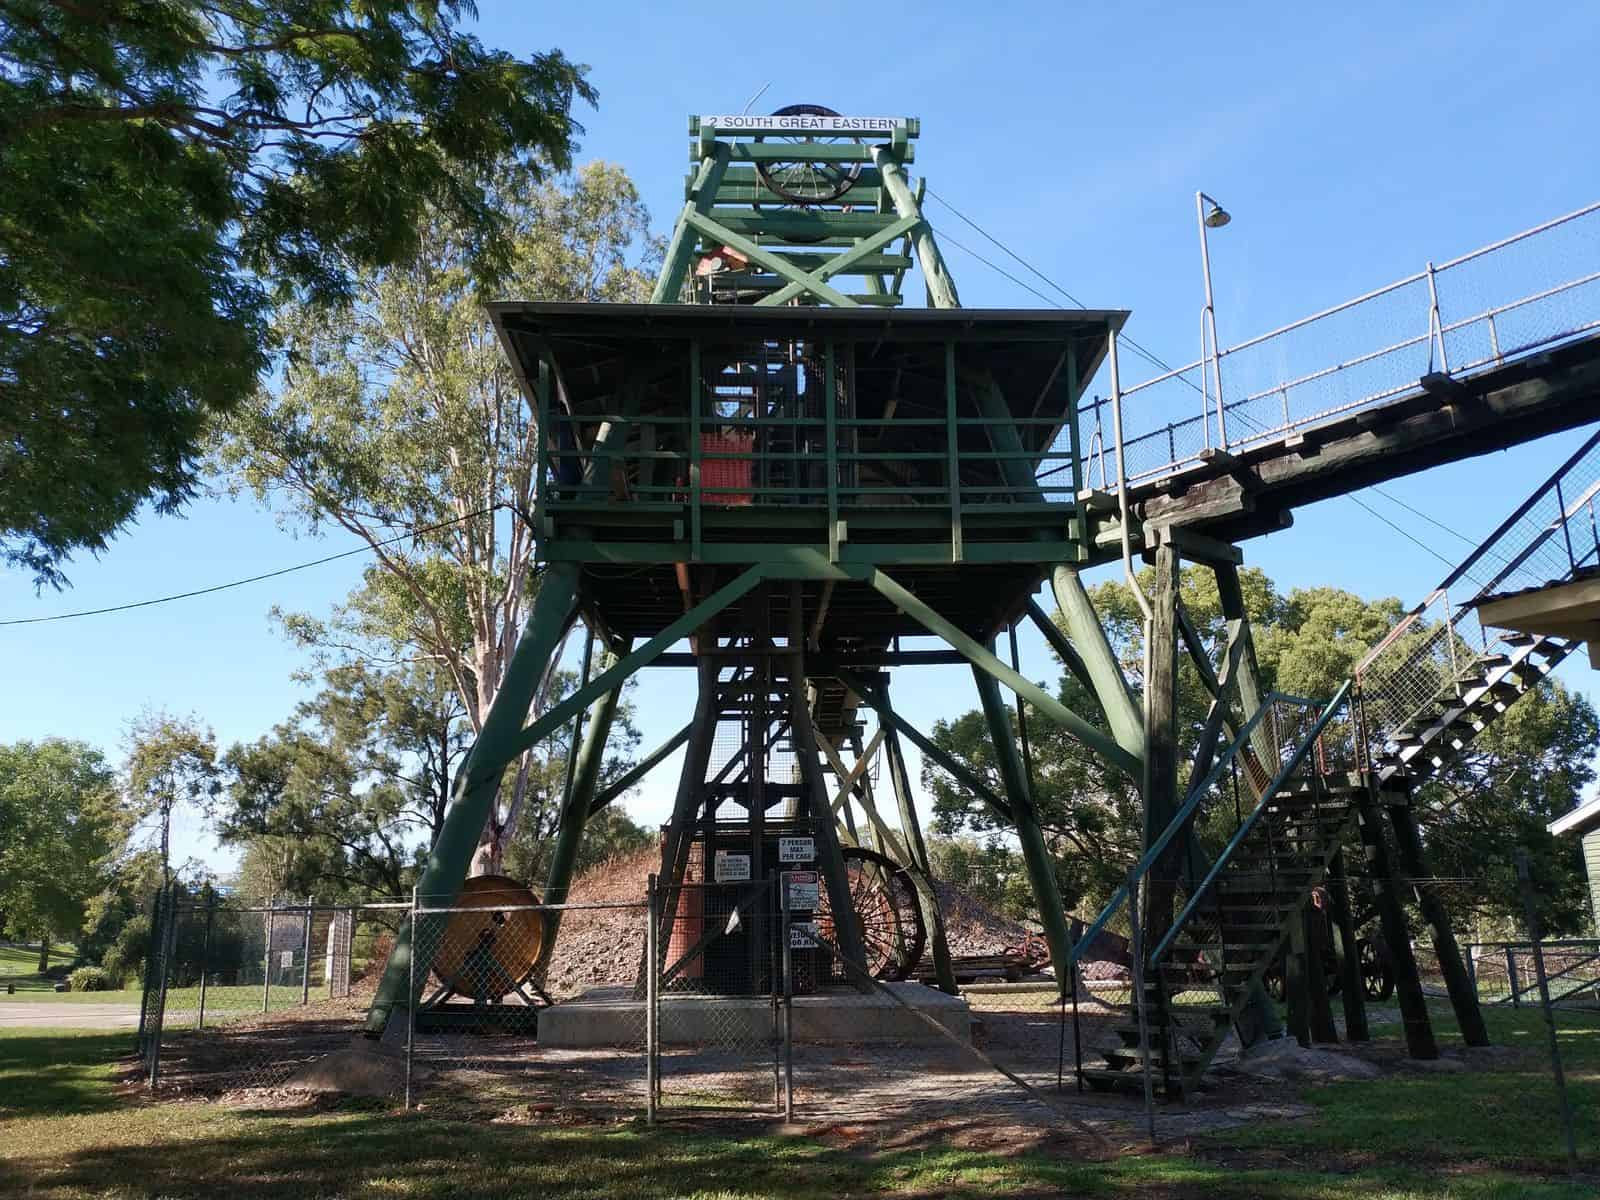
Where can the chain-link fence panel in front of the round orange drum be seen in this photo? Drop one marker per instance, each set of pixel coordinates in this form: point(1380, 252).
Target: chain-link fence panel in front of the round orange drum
point(535, 1009)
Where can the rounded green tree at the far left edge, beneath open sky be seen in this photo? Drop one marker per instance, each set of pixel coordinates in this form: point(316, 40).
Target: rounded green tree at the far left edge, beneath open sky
point(60, 828)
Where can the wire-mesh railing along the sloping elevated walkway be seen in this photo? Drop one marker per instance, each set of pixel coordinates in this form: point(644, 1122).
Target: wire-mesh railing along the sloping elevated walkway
point(1487, 308)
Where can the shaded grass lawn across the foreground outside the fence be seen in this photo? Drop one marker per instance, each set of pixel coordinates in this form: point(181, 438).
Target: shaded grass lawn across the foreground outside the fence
point(68, 1132)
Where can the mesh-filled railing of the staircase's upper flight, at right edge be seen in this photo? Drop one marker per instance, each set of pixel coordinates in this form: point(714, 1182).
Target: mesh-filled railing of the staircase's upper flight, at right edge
point(1436, 649)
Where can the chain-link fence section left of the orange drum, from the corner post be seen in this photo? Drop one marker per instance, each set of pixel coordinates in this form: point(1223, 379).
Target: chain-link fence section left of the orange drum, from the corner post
point(244, 998)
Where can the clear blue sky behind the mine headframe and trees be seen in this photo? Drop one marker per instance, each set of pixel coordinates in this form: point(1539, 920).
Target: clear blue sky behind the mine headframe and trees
point(1350, 143)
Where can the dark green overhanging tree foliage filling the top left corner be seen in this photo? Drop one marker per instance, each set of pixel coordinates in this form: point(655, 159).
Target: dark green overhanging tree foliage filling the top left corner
point(172, 169)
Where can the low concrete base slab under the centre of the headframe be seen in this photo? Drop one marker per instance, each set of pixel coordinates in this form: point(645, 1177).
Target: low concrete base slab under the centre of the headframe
point(610, 1017)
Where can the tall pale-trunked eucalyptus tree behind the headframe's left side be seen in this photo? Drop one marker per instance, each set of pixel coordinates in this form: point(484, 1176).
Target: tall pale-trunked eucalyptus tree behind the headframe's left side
point(398, 420)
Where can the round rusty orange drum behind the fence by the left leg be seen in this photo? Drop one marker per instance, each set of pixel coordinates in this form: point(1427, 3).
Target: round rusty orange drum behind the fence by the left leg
point(492, 940)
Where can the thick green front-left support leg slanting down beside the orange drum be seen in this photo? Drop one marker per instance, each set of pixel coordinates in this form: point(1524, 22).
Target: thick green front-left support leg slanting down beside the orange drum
point(479, 780)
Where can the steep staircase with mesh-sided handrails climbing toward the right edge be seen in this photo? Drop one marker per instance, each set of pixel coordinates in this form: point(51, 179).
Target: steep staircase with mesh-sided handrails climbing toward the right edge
point(1418, 700)
